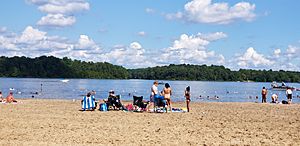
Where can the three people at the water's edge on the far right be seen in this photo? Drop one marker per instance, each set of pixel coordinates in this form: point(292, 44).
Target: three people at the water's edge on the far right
point(274, 97)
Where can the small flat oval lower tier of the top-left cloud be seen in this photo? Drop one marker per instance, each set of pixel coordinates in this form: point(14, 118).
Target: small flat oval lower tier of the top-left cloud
point(57, 20)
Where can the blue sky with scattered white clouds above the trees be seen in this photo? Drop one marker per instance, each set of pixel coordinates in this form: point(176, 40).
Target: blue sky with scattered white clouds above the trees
point(237, 34)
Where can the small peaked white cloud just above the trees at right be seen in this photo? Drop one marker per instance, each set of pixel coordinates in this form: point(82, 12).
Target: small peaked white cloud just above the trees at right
point(253, 59)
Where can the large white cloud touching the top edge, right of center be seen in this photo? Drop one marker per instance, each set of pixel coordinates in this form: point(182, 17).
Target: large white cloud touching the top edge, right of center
point(204, 11)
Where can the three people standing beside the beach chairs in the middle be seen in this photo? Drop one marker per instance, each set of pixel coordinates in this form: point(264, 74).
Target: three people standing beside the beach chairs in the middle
point(164, 96)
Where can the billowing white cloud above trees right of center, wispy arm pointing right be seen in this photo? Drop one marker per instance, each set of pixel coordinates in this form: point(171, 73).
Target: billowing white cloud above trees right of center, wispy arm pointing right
point(192, 50)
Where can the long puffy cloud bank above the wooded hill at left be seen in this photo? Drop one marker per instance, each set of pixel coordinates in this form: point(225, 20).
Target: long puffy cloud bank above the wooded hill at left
point(33, 42)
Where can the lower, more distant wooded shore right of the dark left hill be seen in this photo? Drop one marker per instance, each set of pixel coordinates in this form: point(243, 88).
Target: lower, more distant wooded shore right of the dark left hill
point(212, 73)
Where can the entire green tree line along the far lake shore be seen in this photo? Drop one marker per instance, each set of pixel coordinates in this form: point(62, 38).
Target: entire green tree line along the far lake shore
point(52, 67)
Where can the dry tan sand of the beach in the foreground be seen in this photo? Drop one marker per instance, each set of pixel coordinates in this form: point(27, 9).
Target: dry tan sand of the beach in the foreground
point(59, 122)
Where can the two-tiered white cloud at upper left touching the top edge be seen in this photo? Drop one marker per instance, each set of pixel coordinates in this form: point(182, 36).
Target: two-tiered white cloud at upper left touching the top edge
point(59, 13)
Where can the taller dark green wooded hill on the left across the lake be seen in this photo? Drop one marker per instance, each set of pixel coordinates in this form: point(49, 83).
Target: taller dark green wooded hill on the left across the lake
point(52, 67)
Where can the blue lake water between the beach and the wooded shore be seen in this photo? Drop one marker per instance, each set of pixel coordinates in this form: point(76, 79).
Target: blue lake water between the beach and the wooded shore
point(202, 91)
